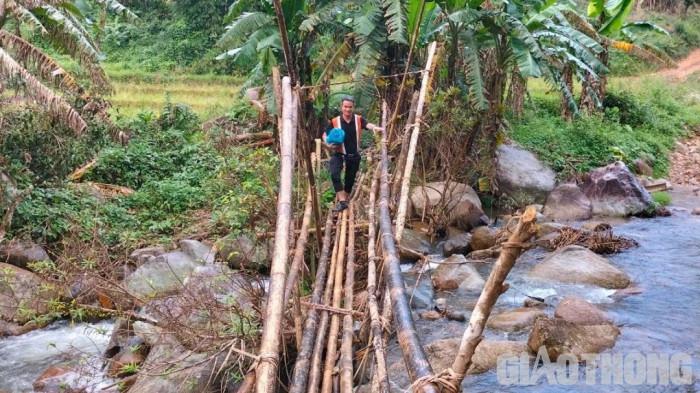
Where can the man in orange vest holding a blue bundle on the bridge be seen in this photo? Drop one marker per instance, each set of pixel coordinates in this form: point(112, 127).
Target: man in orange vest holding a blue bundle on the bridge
point(343, 136)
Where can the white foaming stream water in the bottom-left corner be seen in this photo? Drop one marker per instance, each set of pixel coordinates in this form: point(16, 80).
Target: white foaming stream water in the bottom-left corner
point(23, 358)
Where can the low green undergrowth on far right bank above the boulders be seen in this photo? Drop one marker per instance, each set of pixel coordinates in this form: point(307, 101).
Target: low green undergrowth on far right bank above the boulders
point(643, 125)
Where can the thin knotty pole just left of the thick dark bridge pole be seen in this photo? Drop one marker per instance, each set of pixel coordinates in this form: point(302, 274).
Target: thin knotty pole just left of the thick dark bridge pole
point(380, 376)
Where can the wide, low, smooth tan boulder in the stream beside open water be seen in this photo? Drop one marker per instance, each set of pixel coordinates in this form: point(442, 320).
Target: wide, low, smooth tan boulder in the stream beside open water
point(579, 265)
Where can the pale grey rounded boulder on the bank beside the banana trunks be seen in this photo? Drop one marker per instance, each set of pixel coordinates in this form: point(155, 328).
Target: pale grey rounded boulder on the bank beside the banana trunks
point(521, 176)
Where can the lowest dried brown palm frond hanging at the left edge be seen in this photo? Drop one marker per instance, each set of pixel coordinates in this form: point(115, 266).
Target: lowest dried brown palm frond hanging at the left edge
point(56, 104)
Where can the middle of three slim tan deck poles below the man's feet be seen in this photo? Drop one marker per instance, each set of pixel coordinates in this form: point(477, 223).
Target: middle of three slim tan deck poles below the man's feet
point(332, 348)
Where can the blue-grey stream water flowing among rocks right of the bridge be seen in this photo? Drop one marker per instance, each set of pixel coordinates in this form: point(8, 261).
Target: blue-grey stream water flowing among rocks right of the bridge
point(663, 319)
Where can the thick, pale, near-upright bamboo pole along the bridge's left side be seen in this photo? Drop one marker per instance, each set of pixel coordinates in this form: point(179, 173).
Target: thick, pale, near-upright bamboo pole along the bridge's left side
point(266, 371)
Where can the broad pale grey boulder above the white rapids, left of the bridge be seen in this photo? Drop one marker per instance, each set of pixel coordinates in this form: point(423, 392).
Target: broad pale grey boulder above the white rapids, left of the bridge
point(161, 275)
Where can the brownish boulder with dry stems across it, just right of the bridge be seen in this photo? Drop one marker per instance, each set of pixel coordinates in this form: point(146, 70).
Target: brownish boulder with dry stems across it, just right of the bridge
point(451, 203)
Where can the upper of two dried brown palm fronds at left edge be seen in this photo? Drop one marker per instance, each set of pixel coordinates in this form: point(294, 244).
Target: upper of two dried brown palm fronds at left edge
point(48, 69)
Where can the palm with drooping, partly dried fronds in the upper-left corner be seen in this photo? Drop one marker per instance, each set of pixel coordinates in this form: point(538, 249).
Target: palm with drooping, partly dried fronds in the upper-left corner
point(65, 26)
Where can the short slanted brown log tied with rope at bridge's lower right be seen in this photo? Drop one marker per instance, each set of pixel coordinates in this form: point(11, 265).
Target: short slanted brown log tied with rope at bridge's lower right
point(511, 249)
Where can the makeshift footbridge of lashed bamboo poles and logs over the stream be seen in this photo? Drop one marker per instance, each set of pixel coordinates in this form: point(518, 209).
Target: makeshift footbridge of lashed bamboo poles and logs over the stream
point(329, 346)
